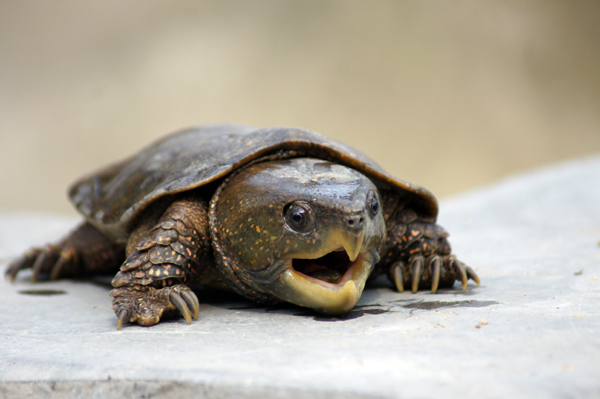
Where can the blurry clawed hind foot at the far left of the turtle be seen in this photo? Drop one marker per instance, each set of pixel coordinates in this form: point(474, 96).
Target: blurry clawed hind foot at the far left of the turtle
point(51, 259)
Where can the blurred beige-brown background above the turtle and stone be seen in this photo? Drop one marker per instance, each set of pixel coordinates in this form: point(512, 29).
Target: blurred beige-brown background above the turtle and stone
point(448, 94)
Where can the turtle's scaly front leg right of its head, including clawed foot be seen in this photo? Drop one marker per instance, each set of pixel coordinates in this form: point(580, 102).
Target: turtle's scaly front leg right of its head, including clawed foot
point(418, 254)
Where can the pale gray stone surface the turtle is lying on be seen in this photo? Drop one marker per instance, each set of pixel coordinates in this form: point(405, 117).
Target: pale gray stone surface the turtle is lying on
point(531, 330)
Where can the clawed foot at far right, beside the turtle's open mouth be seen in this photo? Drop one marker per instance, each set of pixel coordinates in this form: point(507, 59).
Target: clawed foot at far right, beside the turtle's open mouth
point(430, 272)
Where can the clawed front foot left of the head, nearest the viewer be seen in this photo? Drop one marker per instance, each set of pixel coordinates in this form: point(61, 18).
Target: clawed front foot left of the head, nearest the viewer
point(145, 305)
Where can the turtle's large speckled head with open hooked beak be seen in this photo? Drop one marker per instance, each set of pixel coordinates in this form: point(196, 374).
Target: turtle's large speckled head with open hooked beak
point(303, 230)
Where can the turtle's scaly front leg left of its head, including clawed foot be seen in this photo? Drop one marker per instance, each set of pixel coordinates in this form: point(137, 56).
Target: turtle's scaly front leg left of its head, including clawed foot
point(152, 282)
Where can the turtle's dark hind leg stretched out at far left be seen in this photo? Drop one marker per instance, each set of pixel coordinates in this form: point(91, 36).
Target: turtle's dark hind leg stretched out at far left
point(85, 251)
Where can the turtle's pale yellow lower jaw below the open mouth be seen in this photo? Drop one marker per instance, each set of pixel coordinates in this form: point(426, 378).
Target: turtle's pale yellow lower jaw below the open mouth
point(327, 298)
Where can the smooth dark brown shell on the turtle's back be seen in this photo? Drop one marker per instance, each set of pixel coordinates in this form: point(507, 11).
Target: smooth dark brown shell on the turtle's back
point(113, 197)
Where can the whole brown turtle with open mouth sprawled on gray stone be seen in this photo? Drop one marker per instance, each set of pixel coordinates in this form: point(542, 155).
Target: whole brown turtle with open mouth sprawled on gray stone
point(273, 214)
